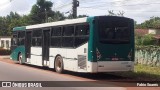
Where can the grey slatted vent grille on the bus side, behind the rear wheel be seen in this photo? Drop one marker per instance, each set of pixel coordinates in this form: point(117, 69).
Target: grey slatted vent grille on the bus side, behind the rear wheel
point(82, 61)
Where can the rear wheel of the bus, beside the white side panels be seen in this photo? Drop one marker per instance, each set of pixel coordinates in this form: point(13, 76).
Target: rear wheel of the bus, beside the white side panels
point(59, 64)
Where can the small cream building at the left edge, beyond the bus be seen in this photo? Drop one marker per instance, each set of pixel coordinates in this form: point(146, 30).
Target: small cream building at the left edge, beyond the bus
point(5, 42)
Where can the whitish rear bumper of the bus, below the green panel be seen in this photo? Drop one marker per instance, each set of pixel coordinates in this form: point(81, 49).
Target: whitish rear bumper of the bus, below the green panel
point(110, 66)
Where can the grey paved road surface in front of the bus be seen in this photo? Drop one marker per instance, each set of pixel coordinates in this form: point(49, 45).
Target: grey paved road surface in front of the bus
point(15, 72)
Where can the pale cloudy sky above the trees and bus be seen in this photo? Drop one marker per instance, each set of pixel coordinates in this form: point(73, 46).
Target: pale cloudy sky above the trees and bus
point(139, 10)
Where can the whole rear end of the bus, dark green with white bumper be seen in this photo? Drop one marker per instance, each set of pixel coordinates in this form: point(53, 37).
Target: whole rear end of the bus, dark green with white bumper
point(112, 48)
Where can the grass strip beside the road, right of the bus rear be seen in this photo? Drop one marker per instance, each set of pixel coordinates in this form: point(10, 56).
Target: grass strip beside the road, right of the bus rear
point(143, 73)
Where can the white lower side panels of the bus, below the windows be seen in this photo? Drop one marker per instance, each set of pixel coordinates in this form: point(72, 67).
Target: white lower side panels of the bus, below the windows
point(70, 57)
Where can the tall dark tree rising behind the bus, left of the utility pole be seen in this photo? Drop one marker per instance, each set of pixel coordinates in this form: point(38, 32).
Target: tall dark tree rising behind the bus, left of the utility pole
point(41, 11)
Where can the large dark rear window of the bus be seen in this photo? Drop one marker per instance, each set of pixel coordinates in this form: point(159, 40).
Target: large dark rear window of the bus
point(114, 31)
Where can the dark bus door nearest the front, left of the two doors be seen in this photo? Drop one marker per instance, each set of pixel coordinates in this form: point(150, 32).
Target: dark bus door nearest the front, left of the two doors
point(28, 44)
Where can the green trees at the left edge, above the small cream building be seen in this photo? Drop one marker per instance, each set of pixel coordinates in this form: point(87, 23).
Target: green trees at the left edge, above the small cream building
point(12, 20)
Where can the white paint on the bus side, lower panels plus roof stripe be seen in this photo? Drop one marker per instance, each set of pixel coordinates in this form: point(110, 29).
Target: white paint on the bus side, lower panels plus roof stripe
point(70, 56)
